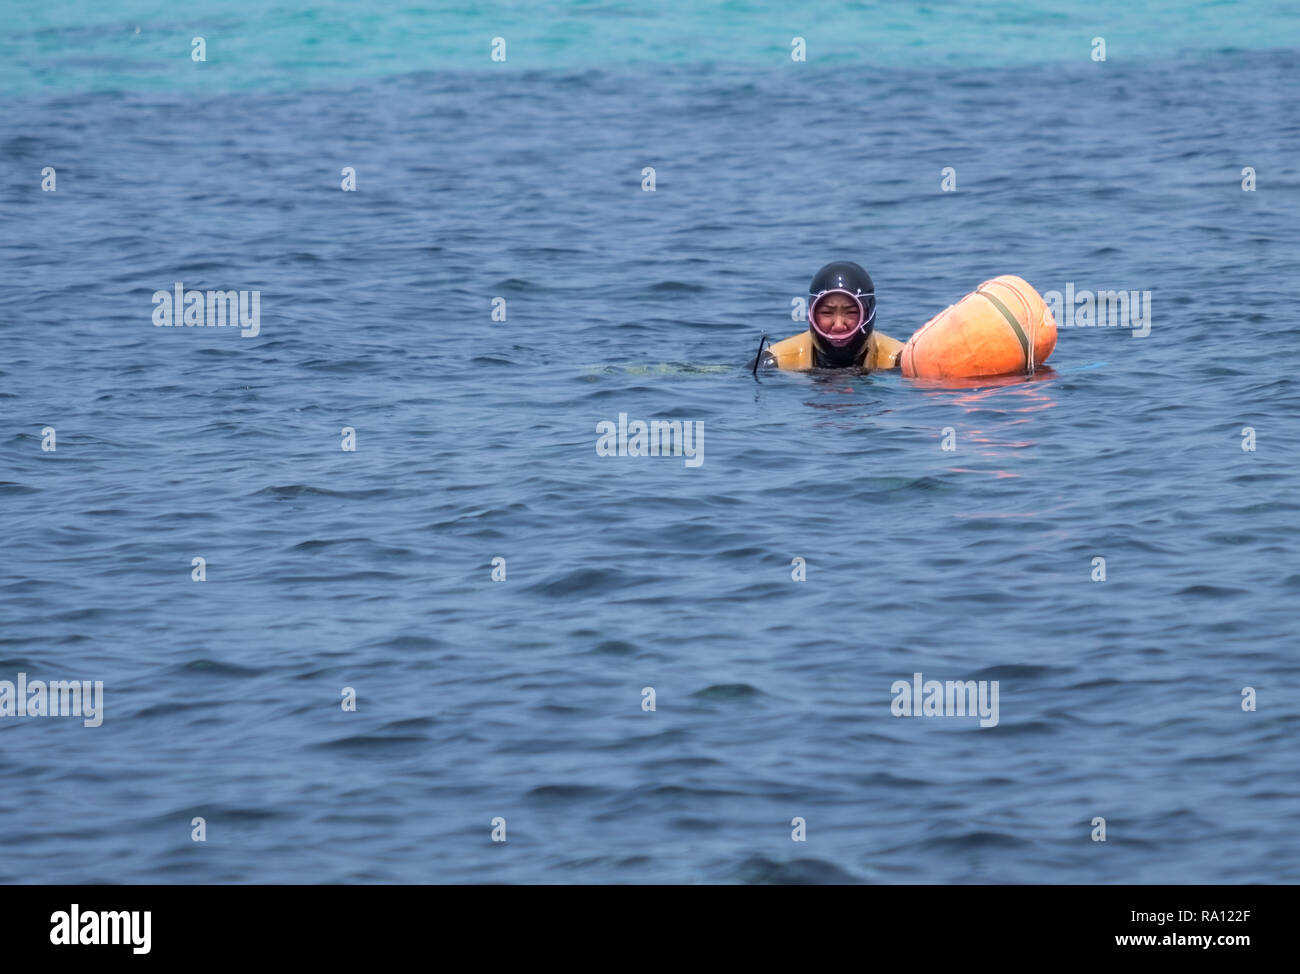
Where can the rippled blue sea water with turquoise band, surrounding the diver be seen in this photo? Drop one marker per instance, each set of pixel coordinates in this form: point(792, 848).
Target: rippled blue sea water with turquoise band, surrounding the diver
point(475, 440)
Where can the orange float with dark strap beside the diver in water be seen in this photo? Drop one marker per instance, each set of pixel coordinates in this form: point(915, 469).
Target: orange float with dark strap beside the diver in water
point(1002, 328)
